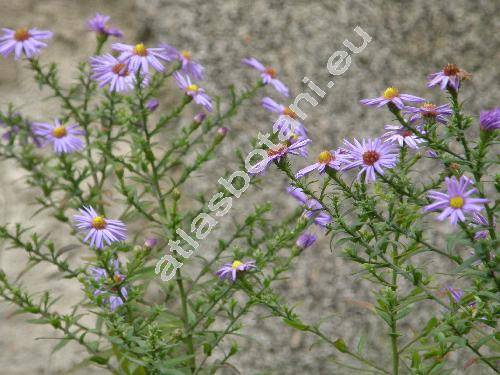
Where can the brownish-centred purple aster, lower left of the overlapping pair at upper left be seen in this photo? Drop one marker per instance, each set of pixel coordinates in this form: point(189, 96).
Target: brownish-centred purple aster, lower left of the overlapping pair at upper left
point(107, 70)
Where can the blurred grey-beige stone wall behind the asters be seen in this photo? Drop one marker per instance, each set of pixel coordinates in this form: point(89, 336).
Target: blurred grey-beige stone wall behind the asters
point(410, 40)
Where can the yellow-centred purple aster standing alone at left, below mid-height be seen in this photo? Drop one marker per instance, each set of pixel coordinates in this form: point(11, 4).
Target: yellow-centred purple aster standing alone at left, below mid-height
point(99, 229)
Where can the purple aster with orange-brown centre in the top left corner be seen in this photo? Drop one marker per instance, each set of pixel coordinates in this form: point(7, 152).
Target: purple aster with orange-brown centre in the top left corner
point(23, 40)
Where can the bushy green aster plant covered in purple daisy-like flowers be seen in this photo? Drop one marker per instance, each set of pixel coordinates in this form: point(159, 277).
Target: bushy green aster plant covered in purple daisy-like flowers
point(120, 189)
